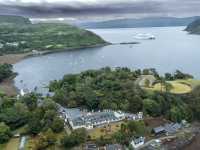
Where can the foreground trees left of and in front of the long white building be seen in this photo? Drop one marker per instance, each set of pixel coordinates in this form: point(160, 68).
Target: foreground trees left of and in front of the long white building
point(39, 117)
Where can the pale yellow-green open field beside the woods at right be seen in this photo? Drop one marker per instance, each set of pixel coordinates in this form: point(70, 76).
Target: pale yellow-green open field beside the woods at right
point(179, 86)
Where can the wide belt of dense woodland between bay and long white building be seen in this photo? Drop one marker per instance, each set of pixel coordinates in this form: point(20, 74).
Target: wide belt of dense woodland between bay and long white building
point(116, 89)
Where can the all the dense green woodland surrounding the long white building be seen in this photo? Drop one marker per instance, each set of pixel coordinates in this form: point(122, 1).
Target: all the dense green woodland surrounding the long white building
point(105, 88)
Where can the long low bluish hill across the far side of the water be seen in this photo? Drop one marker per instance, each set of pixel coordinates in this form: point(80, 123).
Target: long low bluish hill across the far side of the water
point(144, 22)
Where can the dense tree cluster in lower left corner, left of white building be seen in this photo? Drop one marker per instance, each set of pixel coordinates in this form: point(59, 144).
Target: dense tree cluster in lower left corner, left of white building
point(35, 117)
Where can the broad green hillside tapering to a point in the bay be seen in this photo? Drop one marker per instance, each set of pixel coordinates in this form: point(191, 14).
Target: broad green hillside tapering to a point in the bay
point(21, 38)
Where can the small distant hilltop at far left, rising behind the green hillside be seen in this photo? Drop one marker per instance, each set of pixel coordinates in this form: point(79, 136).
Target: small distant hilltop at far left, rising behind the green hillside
point(6, 19)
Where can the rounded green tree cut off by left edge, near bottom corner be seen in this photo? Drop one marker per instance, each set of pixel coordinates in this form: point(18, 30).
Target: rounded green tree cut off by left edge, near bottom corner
point(5, 133)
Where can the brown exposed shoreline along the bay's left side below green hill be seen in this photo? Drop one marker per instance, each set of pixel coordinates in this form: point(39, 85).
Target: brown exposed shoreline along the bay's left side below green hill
point(7, 86)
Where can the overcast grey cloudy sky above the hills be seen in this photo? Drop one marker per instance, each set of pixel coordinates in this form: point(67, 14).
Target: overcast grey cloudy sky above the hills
point(99, 9)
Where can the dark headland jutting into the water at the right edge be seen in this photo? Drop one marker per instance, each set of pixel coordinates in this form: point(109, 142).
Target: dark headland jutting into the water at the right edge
point(194, 27)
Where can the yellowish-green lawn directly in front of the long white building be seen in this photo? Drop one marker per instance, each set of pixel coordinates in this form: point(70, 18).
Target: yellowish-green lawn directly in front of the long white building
point(105, 130)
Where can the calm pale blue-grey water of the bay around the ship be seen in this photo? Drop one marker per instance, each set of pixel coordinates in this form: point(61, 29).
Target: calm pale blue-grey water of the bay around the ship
point(173, 49)
